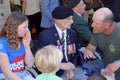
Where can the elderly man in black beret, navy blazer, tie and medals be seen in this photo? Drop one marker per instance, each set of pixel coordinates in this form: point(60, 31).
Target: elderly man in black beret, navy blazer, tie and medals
point(65, 39)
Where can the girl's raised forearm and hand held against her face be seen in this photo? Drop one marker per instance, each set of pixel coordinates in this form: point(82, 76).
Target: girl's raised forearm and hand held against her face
point(29, 59)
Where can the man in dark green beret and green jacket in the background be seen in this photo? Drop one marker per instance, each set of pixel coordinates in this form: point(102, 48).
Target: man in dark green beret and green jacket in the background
point(79, 23)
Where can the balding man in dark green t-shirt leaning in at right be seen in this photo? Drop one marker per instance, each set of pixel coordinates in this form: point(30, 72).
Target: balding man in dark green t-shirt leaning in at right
point(106, 37)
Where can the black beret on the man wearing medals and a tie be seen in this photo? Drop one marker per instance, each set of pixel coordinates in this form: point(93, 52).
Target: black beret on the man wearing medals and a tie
point(62, 12)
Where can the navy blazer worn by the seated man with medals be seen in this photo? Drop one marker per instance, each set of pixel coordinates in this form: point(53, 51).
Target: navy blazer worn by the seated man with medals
point(51, 36)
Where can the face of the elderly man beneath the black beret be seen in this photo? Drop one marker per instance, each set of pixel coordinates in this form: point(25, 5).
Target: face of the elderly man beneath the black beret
point(65, 23)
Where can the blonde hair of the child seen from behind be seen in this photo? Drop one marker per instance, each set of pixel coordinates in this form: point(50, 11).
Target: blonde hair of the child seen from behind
point(48, 59)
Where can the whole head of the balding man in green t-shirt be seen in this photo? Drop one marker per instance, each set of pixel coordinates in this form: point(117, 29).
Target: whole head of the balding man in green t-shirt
point(103, 21)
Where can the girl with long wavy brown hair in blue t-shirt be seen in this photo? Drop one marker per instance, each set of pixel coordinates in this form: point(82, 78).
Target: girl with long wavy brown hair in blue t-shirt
point(15, 49)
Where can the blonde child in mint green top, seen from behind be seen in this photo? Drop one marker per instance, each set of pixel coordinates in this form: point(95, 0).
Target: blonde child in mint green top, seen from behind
point(48, 60)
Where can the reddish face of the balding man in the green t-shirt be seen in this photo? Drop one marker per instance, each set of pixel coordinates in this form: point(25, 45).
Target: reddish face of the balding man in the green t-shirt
point(98, 25)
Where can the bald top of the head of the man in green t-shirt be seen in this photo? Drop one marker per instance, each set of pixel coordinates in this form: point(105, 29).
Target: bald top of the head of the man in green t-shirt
point(104, 14)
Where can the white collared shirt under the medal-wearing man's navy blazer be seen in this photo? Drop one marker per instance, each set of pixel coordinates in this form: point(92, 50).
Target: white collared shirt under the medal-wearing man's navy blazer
point(65, 35)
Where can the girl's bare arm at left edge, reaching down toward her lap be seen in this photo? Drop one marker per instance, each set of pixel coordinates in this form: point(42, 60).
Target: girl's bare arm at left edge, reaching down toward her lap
point(5, 66)
